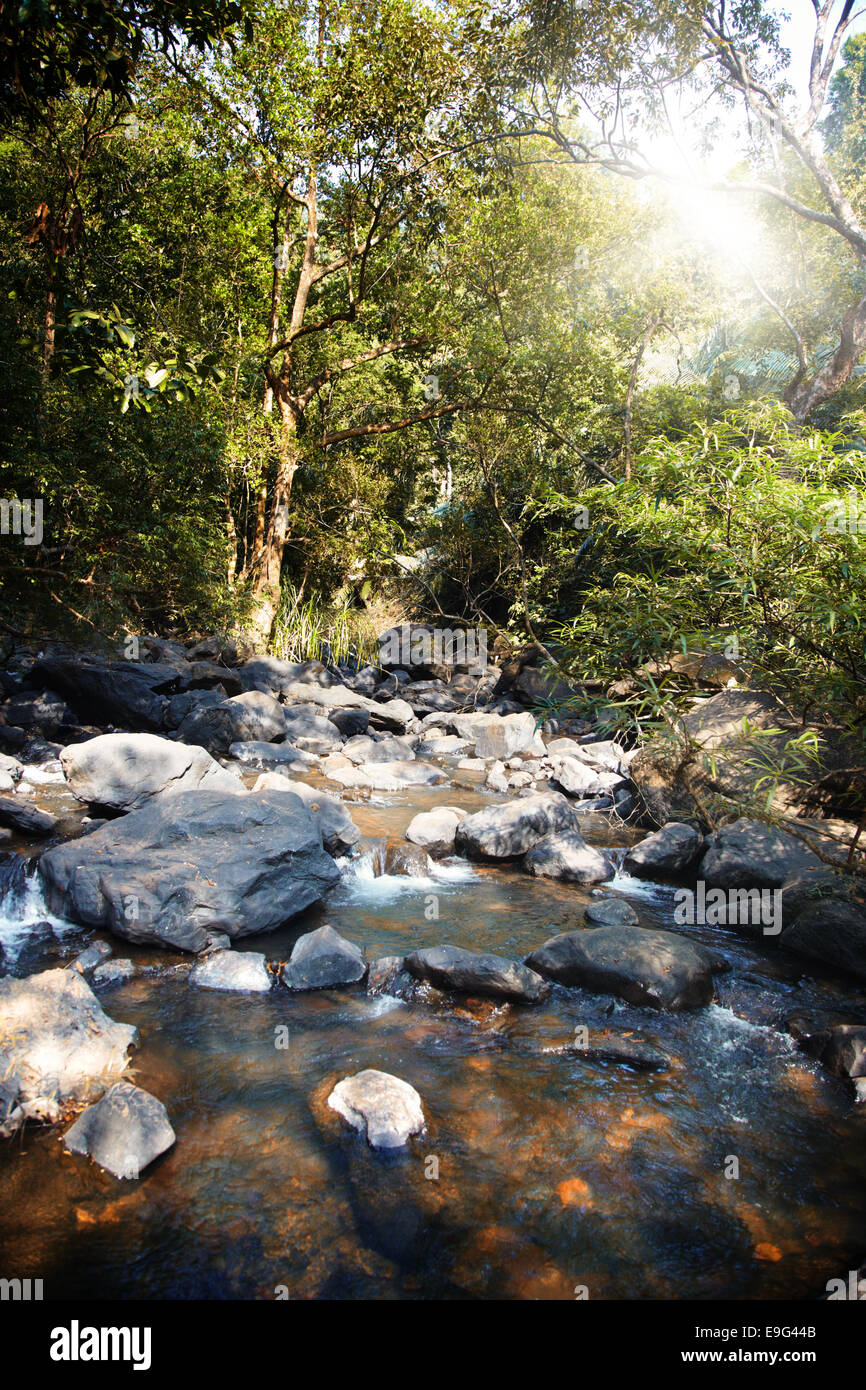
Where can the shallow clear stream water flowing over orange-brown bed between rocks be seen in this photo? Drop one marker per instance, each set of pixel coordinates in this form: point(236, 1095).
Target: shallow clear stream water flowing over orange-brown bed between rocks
point(541, 1174)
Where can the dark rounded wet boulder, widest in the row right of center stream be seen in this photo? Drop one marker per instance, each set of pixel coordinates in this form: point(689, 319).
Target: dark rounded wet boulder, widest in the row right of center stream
point(650, 968)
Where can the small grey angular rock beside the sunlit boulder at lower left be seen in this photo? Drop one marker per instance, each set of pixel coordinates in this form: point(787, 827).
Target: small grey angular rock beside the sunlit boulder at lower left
point(124, 1132)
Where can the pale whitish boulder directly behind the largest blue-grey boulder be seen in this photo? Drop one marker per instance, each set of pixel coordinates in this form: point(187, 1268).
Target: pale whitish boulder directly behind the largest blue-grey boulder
point(123, 772)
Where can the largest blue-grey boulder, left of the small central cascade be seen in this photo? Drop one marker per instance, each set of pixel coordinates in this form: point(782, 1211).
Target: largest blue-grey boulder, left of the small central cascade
point(191, 864)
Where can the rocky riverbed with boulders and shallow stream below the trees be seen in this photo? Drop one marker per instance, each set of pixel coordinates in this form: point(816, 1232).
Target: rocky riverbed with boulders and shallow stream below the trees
point(373, 985)
